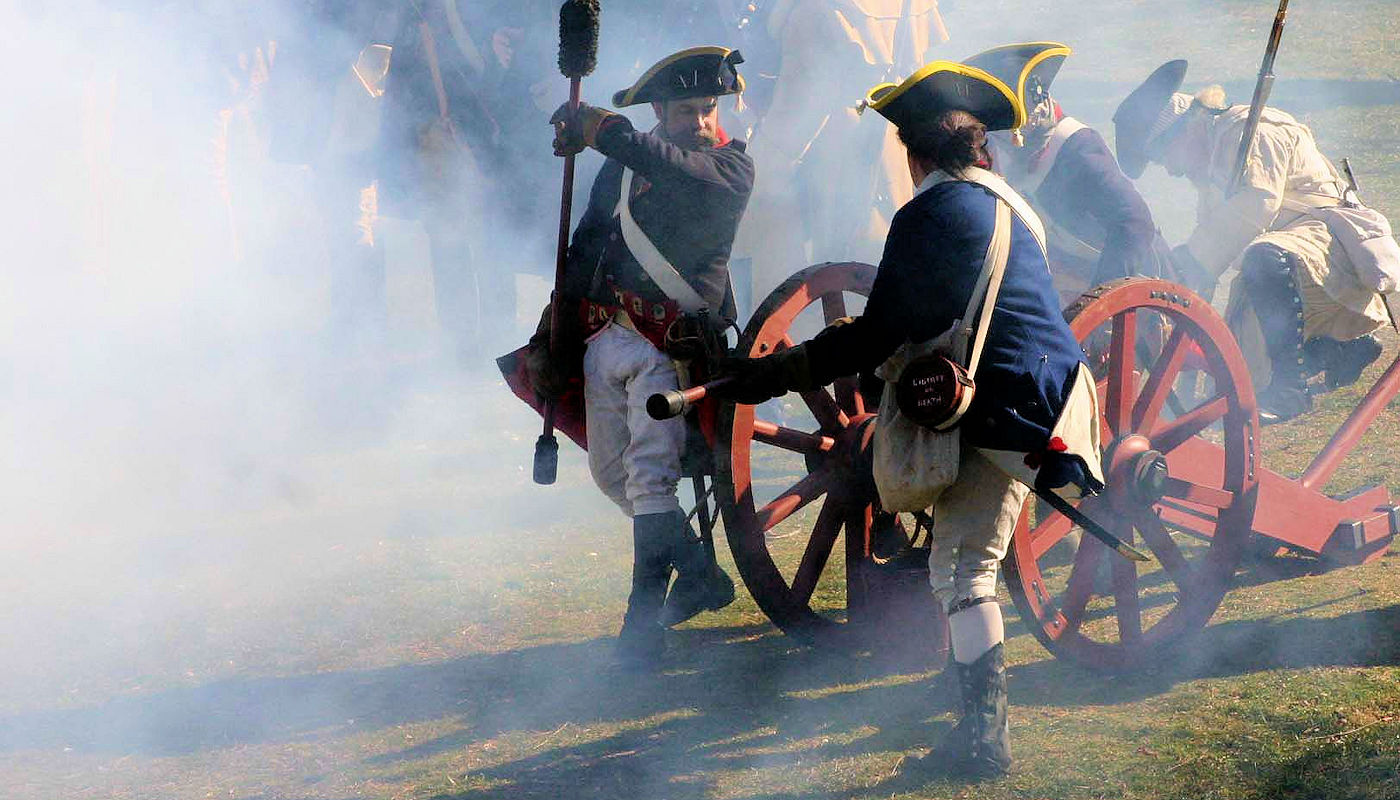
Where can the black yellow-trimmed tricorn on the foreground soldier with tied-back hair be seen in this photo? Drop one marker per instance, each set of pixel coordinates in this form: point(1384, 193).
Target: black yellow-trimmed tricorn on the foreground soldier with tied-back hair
point(943, 86)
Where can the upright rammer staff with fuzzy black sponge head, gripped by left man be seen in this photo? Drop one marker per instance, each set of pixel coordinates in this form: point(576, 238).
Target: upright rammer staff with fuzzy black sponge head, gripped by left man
point(577, 58)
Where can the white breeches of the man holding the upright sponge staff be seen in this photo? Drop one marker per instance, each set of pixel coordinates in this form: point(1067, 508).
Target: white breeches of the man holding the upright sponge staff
point(635, 460)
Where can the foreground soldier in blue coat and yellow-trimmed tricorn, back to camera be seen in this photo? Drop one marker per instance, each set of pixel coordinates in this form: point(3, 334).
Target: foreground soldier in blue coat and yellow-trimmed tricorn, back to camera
point(1031, 372)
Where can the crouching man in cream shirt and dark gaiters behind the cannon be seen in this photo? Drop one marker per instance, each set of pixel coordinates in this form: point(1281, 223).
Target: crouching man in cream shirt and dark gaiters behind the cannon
point(1304, 285)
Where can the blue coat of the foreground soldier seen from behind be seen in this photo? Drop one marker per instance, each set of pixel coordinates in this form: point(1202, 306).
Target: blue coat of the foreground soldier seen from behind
point(933, 257)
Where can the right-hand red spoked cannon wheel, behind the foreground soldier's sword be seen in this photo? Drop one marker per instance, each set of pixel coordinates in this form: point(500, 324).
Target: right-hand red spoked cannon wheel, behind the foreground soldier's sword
point(1179, 428)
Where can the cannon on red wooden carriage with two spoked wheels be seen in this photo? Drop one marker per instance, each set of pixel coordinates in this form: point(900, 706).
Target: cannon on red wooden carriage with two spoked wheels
point(827, 565)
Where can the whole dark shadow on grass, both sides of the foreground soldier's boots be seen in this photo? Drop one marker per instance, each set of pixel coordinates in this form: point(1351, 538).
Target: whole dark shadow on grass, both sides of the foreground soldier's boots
point(734, 701)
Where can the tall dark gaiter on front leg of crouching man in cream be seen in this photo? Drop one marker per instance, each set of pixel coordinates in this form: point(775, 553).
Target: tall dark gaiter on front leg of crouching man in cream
point(1268, 274)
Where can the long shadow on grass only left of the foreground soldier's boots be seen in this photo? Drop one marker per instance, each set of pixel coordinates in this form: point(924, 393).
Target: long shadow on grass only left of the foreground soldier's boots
point(730, 698)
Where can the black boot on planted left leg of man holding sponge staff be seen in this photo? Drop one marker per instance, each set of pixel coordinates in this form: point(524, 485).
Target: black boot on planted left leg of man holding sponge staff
point(642, 641)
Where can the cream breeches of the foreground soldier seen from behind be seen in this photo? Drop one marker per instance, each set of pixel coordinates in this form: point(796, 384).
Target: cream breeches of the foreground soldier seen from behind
point(974, 522)
